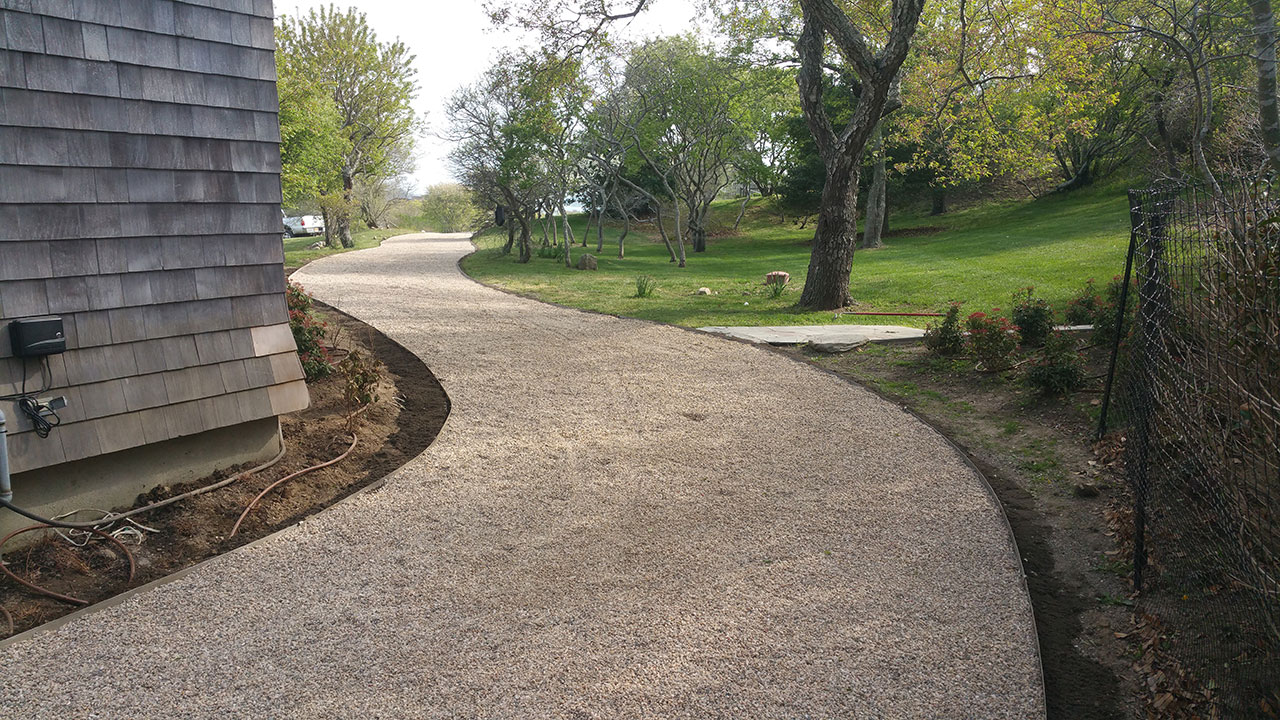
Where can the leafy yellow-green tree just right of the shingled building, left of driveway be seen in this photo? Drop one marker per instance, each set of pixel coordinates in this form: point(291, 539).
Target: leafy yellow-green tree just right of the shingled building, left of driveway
point(372, 85)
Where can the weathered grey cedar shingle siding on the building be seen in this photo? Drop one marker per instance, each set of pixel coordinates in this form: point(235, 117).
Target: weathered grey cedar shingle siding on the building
point(140, 200)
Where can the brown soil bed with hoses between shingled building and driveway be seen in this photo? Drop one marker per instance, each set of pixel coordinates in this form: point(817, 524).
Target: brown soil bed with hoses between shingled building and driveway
point(406, 416)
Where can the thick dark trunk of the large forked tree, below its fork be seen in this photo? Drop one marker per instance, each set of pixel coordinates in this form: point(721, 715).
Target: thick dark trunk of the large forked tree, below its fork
point(833, 261)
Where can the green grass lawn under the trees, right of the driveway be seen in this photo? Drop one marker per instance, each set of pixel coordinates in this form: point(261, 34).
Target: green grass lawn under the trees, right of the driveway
point(979, 257)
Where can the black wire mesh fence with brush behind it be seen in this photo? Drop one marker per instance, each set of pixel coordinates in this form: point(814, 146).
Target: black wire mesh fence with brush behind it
point(1197, 399)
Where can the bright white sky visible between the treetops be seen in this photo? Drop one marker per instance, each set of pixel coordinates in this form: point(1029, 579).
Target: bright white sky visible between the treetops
point(455, 43)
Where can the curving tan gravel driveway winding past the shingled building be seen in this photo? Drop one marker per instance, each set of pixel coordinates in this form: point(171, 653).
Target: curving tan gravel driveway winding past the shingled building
point(619, 521)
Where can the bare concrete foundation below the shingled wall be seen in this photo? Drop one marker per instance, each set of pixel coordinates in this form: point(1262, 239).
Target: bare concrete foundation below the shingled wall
point(117, 480)
